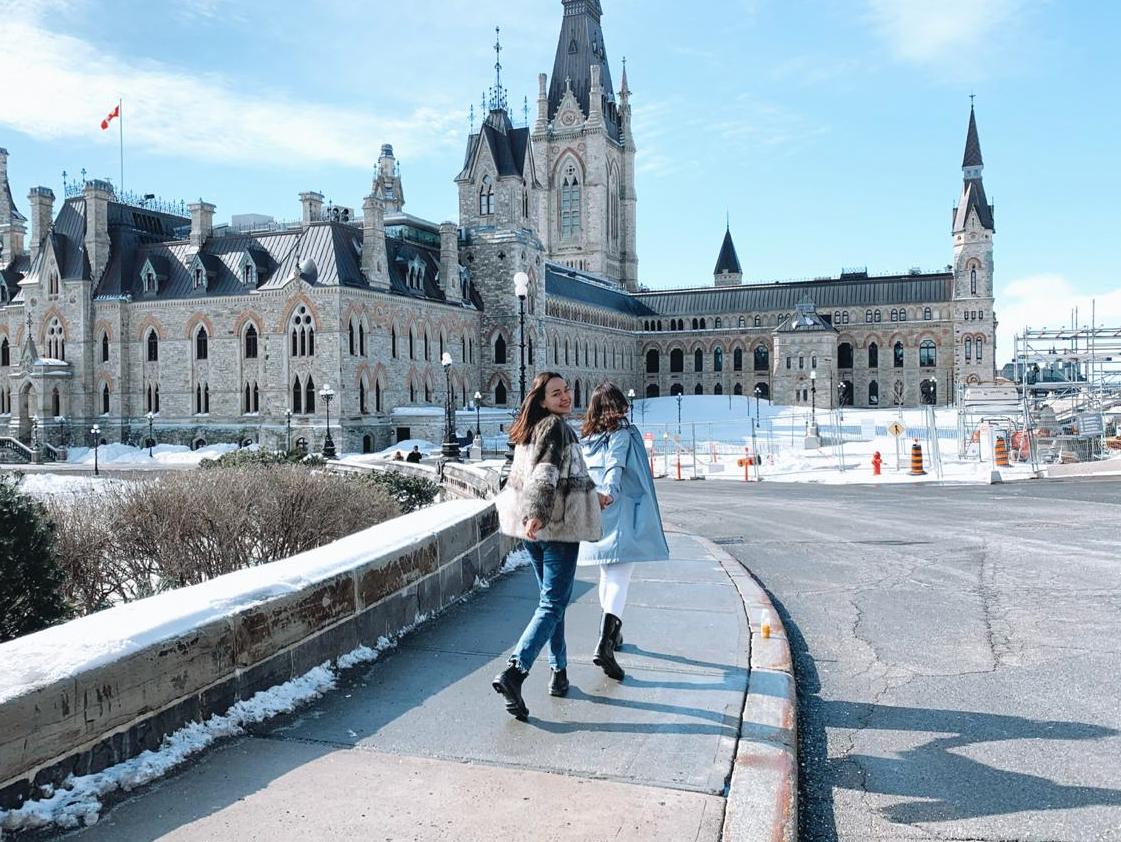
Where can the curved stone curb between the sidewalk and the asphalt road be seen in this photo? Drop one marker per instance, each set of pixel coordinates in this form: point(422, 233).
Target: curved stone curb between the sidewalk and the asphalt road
point(763, 797)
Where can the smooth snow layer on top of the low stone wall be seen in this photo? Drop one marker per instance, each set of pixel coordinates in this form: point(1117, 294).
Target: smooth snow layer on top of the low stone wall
point(39, 660)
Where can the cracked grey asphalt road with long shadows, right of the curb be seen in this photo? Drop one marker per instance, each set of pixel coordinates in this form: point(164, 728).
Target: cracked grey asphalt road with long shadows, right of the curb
point(958, 651)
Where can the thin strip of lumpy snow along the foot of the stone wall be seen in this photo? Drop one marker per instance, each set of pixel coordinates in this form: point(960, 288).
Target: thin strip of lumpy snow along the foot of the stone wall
point(79, 800)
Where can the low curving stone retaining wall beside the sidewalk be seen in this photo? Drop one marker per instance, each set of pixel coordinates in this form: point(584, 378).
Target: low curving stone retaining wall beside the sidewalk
point(103, 716)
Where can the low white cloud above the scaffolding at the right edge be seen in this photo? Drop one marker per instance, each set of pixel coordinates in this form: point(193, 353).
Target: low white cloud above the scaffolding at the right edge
point(1048, 301)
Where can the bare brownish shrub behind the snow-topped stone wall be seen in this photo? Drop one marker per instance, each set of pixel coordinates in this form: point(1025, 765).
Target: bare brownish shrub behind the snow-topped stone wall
point(184, 529)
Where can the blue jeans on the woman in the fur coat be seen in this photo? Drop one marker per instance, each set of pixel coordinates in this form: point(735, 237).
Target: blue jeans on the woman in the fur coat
point(555, 567)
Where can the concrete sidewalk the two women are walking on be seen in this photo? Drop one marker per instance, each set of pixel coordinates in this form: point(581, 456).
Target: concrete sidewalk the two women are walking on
point(418, 746)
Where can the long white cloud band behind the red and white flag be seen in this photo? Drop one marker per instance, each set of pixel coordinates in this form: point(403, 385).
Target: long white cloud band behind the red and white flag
point(186, 114)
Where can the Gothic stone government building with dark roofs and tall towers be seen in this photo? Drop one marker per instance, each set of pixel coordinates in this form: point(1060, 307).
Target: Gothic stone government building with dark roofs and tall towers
point(118, 308)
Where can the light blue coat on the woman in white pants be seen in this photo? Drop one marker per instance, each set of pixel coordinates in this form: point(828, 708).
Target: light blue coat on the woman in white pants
point(617, 462)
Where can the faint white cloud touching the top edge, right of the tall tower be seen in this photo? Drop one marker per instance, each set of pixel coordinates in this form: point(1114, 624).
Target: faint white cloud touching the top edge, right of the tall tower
point(944, 32)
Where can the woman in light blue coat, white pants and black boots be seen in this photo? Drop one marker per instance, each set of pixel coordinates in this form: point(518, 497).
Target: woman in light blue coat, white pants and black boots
point(633, 533)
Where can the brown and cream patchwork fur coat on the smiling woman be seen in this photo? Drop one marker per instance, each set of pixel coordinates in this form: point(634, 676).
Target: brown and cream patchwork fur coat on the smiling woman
point(550, 482)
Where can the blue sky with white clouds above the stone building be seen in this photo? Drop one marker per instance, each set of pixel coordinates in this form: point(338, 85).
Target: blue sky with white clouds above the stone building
point(831, 132)
